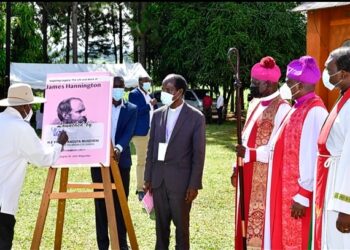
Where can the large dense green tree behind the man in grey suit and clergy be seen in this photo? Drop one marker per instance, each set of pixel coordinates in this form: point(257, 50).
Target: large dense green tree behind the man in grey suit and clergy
point(195, 38)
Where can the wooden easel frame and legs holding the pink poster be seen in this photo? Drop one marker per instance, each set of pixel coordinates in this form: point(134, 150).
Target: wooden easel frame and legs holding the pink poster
point(62, 195)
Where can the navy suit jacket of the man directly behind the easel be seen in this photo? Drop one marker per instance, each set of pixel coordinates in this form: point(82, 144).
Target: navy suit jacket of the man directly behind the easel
point(125, 130)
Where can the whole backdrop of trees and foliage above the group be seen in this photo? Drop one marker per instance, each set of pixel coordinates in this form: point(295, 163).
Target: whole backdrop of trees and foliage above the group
point(190, 38)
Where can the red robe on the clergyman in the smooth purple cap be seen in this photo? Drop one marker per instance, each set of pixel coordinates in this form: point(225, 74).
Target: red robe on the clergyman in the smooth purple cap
point(287, 232)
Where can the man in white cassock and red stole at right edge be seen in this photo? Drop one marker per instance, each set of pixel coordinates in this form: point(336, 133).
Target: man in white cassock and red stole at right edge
point(332, 199)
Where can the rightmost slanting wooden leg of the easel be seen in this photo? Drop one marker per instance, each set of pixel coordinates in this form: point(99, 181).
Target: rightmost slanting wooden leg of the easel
point(124, 205)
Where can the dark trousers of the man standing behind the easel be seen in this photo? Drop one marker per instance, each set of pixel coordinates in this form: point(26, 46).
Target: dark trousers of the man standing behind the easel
point(101, 213)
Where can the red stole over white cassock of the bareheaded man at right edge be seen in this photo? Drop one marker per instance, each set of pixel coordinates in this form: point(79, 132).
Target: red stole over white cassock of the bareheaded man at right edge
point(322, 172)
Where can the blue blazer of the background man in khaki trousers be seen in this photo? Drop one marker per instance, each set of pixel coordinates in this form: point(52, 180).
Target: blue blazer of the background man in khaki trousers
point(142, 123)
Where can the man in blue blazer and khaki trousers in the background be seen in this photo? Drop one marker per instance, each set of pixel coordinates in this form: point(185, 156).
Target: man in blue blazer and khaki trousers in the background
point(145, 106)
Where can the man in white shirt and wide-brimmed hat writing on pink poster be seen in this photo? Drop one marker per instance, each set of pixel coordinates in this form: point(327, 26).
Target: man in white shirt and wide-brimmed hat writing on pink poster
point(19, 145)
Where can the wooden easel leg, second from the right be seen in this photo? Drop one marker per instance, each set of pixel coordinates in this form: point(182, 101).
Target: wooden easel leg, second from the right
point(112, 222)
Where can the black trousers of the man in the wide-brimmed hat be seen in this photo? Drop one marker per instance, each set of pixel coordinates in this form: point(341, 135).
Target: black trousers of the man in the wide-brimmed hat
point(7, 226)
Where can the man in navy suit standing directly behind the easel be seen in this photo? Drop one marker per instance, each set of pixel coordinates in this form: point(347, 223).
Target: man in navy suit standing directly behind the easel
point(123, 124)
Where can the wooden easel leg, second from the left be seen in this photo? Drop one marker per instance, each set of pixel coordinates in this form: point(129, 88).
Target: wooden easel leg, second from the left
point(61, 209)
